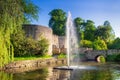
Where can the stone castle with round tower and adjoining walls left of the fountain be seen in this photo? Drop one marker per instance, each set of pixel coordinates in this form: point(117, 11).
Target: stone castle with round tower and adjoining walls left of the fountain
point(57, 44)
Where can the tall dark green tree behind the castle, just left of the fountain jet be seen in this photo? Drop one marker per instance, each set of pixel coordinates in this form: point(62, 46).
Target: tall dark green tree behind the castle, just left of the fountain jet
point(57, 21)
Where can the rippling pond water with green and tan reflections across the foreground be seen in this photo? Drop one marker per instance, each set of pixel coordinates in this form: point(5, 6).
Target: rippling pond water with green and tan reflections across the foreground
point(108, 71)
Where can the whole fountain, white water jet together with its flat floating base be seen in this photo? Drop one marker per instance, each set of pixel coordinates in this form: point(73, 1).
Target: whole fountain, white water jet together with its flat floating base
point(73, 55)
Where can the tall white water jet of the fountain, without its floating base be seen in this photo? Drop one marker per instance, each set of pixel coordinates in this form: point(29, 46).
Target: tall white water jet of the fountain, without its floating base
point(72, 43)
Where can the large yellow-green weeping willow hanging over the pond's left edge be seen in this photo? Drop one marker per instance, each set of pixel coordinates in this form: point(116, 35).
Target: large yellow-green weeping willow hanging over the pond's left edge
point(12, 15)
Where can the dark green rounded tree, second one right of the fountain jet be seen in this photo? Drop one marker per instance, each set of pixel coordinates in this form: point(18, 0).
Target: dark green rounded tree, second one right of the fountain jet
point(89, 30)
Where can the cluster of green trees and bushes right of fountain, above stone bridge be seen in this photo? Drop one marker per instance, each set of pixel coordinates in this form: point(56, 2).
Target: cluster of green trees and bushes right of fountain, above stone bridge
point(89, 33)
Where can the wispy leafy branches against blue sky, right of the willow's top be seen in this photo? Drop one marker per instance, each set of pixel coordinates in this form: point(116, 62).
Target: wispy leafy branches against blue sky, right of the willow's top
point(30, 10)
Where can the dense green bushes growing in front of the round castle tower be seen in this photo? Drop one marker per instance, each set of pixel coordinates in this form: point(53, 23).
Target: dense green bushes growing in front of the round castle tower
point(27, 46)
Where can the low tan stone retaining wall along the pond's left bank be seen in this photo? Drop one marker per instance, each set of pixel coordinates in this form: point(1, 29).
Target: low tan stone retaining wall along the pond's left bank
point(20, 66)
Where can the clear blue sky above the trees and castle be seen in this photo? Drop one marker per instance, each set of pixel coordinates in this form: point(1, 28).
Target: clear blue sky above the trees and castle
point(96, 10)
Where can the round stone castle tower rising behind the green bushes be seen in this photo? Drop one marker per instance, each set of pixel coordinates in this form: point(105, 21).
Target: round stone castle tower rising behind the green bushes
point(37, 30)
